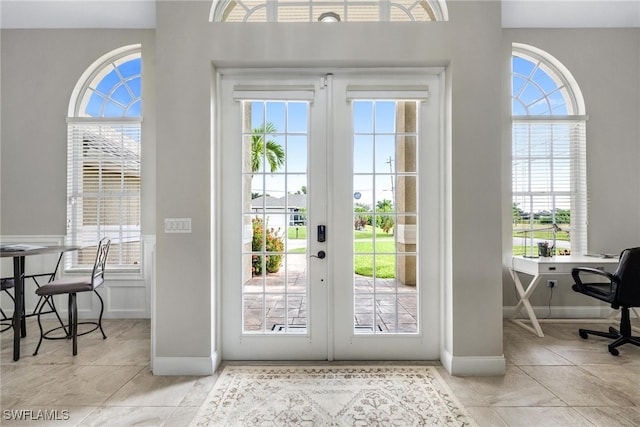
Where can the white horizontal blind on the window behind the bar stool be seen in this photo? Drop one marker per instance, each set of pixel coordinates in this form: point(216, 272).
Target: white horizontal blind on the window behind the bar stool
point(103, 191)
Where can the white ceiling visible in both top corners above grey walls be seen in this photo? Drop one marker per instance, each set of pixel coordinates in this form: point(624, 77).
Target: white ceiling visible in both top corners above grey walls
point(142, 13)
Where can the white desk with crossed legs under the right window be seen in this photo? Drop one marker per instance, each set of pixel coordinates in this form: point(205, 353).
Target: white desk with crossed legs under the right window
point(541, 268)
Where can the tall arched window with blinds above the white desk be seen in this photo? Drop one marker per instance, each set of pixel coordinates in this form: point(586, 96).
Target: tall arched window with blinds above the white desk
point(549, 179)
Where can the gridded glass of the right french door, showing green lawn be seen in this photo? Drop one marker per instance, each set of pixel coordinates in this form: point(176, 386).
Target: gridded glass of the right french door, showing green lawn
point(385, 217)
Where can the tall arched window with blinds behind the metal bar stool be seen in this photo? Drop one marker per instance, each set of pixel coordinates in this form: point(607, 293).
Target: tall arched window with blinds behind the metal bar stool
point(103, 160)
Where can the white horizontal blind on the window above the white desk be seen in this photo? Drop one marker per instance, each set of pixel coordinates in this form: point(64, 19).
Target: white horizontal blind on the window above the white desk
point(549, 182)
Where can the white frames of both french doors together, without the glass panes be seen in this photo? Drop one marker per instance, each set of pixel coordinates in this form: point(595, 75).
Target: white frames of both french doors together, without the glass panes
point(341, 345)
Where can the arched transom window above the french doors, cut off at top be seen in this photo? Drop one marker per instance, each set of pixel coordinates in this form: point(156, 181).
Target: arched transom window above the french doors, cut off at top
point(327, 11)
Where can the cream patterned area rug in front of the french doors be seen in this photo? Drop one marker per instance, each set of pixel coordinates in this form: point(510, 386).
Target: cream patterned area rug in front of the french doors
point(331, 396)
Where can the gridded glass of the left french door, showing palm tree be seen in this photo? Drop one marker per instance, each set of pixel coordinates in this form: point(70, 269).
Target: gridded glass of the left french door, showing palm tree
point(274, 236)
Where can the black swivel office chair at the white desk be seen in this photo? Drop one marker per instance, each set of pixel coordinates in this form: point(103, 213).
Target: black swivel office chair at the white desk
point(622, 291)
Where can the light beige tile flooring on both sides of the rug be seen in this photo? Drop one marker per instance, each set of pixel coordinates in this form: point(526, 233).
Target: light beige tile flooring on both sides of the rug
point(558, 380)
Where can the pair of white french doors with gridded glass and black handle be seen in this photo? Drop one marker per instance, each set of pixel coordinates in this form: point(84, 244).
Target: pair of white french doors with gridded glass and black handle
point(329, 205)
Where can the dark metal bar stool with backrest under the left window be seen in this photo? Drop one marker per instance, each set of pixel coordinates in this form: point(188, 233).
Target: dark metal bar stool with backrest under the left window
point(72, 286)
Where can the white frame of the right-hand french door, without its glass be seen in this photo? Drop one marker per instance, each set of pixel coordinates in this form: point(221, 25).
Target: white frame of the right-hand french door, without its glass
point(425, 345)
